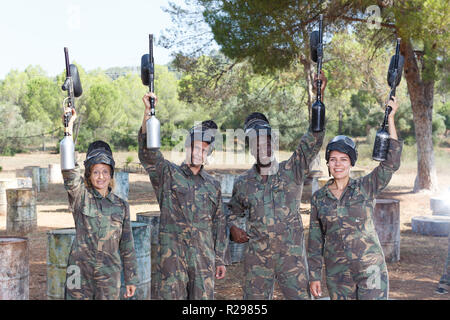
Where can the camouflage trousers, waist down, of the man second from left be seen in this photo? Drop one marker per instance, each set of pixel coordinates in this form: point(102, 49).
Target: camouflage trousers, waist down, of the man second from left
point(184, 272)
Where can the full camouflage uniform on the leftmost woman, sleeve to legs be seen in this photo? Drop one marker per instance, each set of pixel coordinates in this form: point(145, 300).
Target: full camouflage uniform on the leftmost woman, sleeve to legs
point(103, 242)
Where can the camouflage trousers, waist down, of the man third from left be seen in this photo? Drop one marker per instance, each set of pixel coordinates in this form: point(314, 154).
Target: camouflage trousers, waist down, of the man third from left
point(263, 266)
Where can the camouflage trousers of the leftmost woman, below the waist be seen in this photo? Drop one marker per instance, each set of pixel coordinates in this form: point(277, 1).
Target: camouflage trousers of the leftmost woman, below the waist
point(92, 284)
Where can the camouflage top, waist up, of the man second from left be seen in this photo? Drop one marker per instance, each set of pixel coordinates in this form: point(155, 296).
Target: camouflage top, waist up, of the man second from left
point(190, 205)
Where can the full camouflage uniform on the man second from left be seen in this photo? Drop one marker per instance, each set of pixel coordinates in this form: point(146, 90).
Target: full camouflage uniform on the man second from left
point(192, 231)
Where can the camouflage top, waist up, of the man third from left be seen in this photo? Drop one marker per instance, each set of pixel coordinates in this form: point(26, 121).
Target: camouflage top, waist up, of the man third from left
point(273, 207)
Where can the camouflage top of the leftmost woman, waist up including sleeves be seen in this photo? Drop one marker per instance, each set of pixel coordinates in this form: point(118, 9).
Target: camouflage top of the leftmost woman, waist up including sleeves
point(104, 237)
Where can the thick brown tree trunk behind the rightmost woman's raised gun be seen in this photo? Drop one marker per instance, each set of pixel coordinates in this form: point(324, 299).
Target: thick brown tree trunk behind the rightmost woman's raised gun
point(421, 95)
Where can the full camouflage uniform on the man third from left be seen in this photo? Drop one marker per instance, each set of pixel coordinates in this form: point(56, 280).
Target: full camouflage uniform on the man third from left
point(276, 248)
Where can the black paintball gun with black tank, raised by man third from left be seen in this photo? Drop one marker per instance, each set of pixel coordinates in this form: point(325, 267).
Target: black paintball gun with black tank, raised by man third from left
point(316, 48)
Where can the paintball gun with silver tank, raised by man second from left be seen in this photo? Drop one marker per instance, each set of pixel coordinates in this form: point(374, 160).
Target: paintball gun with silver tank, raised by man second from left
point(148, 78)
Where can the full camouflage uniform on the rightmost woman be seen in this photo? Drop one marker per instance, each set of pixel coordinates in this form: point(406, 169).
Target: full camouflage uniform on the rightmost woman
point(343, 232)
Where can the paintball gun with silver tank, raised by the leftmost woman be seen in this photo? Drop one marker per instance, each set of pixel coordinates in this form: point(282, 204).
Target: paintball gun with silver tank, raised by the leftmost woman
point(72, 85)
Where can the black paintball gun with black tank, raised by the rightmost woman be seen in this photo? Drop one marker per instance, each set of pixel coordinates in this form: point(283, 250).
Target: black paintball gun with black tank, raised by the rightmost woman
point(394, 76)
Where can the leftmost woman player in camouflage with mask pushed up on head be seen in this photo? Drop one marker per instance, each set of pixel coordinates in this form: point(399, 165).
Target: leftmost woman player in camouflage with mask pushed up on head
point(104, 239)
